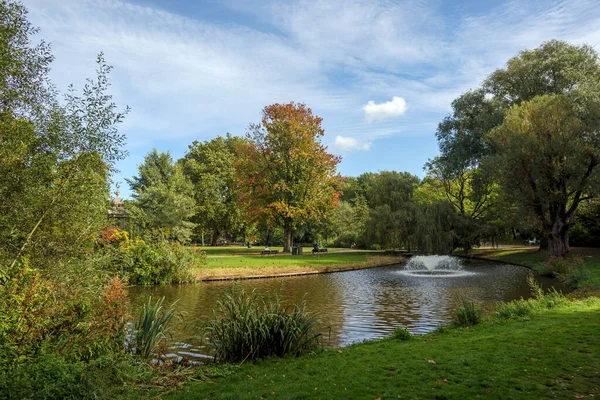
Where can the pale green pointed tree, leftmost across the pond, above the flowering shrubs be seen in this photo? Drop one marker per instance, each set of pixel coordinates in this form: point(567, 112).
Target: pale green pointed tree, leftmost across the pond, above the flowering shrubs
point(163, 197)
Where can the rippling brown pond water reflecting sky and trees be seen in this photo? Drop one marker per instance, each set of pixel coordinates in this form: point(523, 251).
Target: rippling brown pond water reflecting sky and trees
point(354, 305)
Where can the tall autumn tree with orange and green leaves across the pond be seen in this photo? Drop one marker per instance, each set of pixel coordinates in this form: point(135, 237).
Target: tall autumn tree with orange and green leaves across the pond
point(285, 173)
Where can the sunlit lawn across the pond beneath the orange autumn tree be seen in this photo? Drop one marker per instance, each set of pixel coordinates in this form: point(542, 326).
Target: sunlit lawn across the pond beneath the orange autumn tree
point(241, 262)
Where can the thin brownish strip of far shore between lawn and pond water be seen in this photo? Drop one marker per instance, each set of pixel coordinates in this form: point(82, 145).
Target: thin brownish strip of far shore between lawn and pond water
point(231, 274)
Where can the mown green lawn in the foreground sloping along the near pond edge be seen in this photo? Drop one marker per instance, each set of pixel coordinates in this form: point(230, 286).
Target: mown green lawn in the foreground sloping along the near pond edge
point(553, 354)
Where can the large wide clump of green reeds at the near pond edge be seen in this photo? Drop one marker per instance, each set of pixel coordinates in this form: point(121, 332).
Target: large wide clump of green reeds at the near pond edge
point(245, 326)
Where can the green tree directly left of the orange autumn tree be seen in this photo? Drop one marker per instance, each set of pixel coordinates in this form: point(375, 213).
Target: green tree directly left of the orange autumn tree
point(210, 167)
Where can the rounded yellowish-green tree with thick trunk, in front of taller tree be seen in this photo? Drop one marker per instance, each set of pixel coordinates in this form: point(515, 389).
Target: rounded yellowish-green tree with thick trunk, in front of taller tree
point(547, 157)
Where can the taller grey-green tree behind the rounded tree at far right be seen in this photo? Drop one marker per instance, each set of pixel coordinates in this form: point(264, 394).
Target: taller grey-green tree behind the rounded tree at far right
point(555, 68)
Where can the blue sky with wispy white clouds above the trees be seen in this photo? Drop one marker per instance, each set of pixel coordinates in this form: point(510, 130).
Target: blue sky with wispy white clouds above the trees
point(381, 74)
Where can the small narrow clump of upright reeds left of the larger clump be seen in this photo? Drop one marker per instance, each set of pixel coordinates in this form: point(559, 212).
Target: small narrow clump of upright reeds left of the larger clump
point(151, 328)
